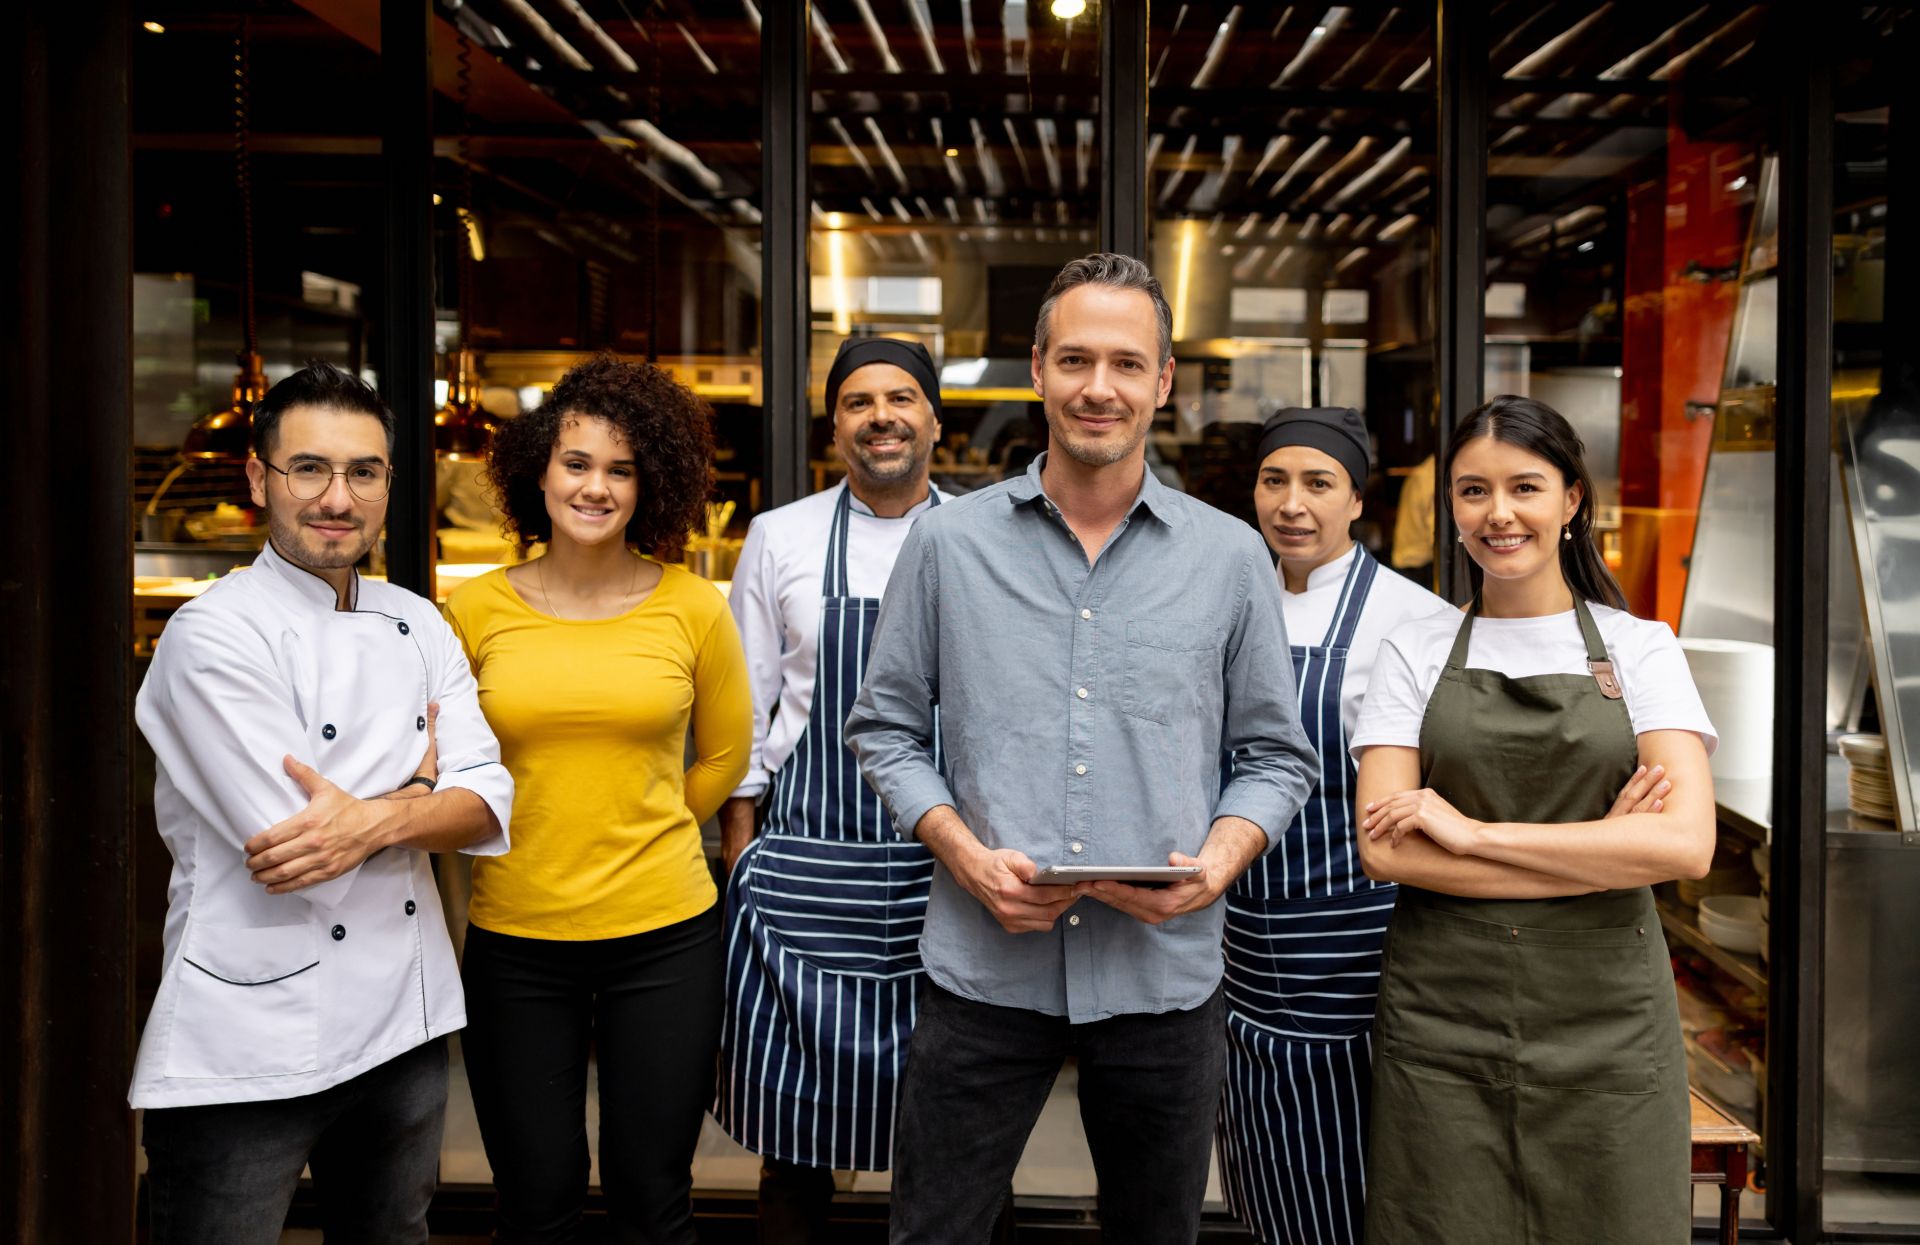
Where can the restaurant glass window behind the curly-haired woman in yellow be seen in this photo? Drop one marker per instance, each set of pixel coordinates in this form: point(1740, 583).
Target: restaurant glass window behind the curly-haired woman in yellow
point(604, 195)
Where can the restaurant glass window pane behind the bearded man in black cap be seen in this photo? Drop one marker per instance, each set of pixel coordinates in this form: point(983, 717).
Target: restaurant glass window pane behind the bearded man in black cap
point(955, 168)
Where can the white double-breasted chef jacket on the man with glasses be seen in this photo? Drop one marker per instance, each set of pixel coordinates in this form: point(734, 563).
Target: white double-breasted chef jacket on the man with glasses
point(279, 996)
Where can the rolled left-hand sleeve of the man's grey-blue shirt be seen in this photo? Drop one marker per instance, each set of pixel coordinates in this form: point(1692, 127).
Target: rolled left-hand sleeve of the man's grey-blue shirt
point(892, 725)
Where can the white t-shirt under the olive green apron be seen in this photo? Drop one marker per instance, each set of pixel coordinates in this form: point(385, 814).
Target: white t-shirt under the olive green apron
point(1646, 658)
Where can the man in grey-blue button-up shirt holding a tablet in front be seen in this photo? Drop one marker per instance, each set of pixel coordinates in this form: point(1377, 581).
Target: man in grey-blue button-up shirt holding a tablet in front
point(1095, 645)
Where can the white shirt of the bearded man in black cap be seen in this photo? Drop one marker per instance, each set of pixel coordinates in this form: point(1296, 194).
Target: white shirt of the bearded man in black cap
point(777, 602)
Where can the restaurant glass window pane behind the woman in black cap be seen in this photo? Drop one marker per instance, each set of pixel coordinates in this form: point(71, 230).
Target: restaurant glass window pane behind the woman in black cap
point(1291, 191)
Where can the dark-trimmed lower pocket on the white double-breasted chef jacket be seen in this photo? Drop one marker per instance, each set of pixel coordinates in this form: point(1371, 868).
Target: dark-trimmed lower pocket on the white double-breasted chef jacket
point(247, 1002)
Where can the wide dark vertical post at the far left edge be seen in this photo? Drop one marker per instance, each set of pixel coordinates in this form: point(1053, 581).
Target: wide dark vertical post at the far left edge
point(66, 577)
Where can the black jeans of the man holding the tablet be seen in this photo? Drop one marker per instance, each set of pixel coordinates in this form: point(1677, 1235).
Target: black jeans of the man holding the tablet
point(974, 1086)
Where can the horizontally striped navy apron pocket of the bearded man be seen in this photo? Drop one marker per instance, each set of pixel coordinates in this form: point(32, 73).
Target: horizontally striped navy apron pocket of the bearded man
point(842, 906)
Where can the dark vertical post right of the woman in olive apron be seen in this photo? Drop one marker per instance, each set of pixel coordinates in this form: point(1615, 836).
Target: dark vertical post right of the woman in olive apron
point(1802, 516)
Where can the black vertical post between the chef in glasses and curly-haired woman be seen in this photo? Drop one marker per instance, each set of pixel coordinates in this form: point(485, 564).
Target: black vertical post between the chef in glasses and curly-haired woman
point(408, 326)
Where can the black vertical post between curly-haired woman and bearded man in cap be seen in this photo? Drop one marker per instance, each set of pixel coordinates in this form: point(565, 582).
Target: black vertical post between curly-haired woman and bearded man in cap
point(784, 272)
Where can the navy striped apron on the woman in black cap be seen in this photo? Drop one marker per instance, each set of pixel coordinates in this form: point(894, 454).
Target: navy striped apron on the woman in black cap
point(1305, 931)
